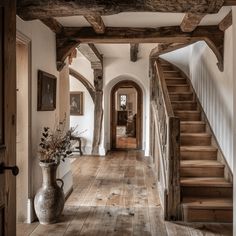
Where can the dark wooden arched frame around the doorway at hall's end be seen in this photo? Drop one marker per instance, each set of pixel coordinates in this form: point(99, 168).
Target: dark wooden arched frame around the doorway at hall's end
point(139, 117)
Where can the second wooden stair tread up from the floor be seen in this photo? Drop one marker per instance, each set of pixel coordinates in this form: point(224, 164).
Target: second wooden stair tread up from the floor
point(205, 181)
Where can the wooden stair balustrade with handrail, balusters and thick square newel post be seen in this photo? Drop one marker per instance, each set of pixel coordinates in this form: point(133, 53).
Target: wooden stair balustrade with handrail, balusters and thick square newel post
point(168, 127)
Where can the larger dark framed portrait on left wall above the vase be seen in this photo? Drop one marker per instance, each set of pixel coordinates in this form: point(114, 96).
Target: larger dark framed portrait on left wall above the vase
point(47, 88)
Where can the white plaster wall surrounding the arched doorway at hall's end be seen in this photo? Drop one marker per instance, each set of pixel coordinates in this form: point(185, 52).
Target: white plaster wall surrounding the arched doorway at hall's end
point(118, 69)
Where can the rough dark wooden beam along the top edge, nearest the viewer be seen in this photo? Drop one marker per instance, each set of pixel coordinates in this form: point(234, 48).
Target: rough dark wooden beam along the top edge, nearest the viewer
point(31, 9)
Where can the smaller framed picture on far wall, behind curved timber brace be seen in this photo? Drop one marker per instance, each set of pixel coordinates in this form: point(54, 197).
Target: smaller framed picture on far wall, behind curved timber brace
point(76, 103)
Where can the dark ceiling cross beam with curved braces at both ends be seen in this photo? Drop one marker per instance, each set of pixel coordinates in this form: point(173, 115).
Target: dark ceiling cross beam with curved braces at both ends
point(72, 37)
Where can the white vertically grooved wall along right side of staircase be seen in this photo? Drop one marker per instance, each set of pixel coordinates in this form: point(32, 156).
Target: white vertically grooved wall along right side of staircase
point(215, 91)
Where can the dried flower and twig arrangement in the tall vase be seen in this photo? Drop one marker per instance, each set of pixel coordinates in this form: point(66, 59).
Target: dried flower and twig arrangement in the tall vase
point(55, 145)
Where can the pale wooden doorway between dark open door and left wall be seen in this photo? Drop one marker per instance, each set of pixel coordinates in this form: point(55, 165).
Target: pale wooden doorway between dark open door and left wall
point(23, 126)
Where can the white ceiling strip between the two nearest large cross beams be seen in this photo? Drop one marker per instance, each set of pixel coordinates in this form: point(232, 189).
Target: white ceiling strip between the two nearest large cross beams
point(143, 19)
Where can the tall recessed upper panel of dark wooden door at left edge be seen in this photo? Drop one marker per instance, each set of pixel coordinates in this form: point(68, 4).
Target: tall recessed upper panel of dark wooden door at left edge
point(1, 82)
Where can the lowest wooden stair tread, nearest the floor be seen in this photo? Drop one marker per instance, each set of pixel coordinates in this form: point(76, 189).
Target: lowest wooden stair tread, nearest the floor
point(208, 203)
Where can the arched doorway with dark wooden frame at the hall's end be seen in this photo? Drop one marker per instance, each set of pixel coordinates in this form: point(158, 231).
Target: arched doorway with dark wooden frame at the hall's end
point(126, 115)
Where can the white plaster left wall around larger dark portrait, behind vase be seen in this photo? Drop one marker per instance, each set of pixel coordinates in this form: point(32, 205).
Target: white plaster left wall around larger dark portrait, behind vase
point(43, 57)
